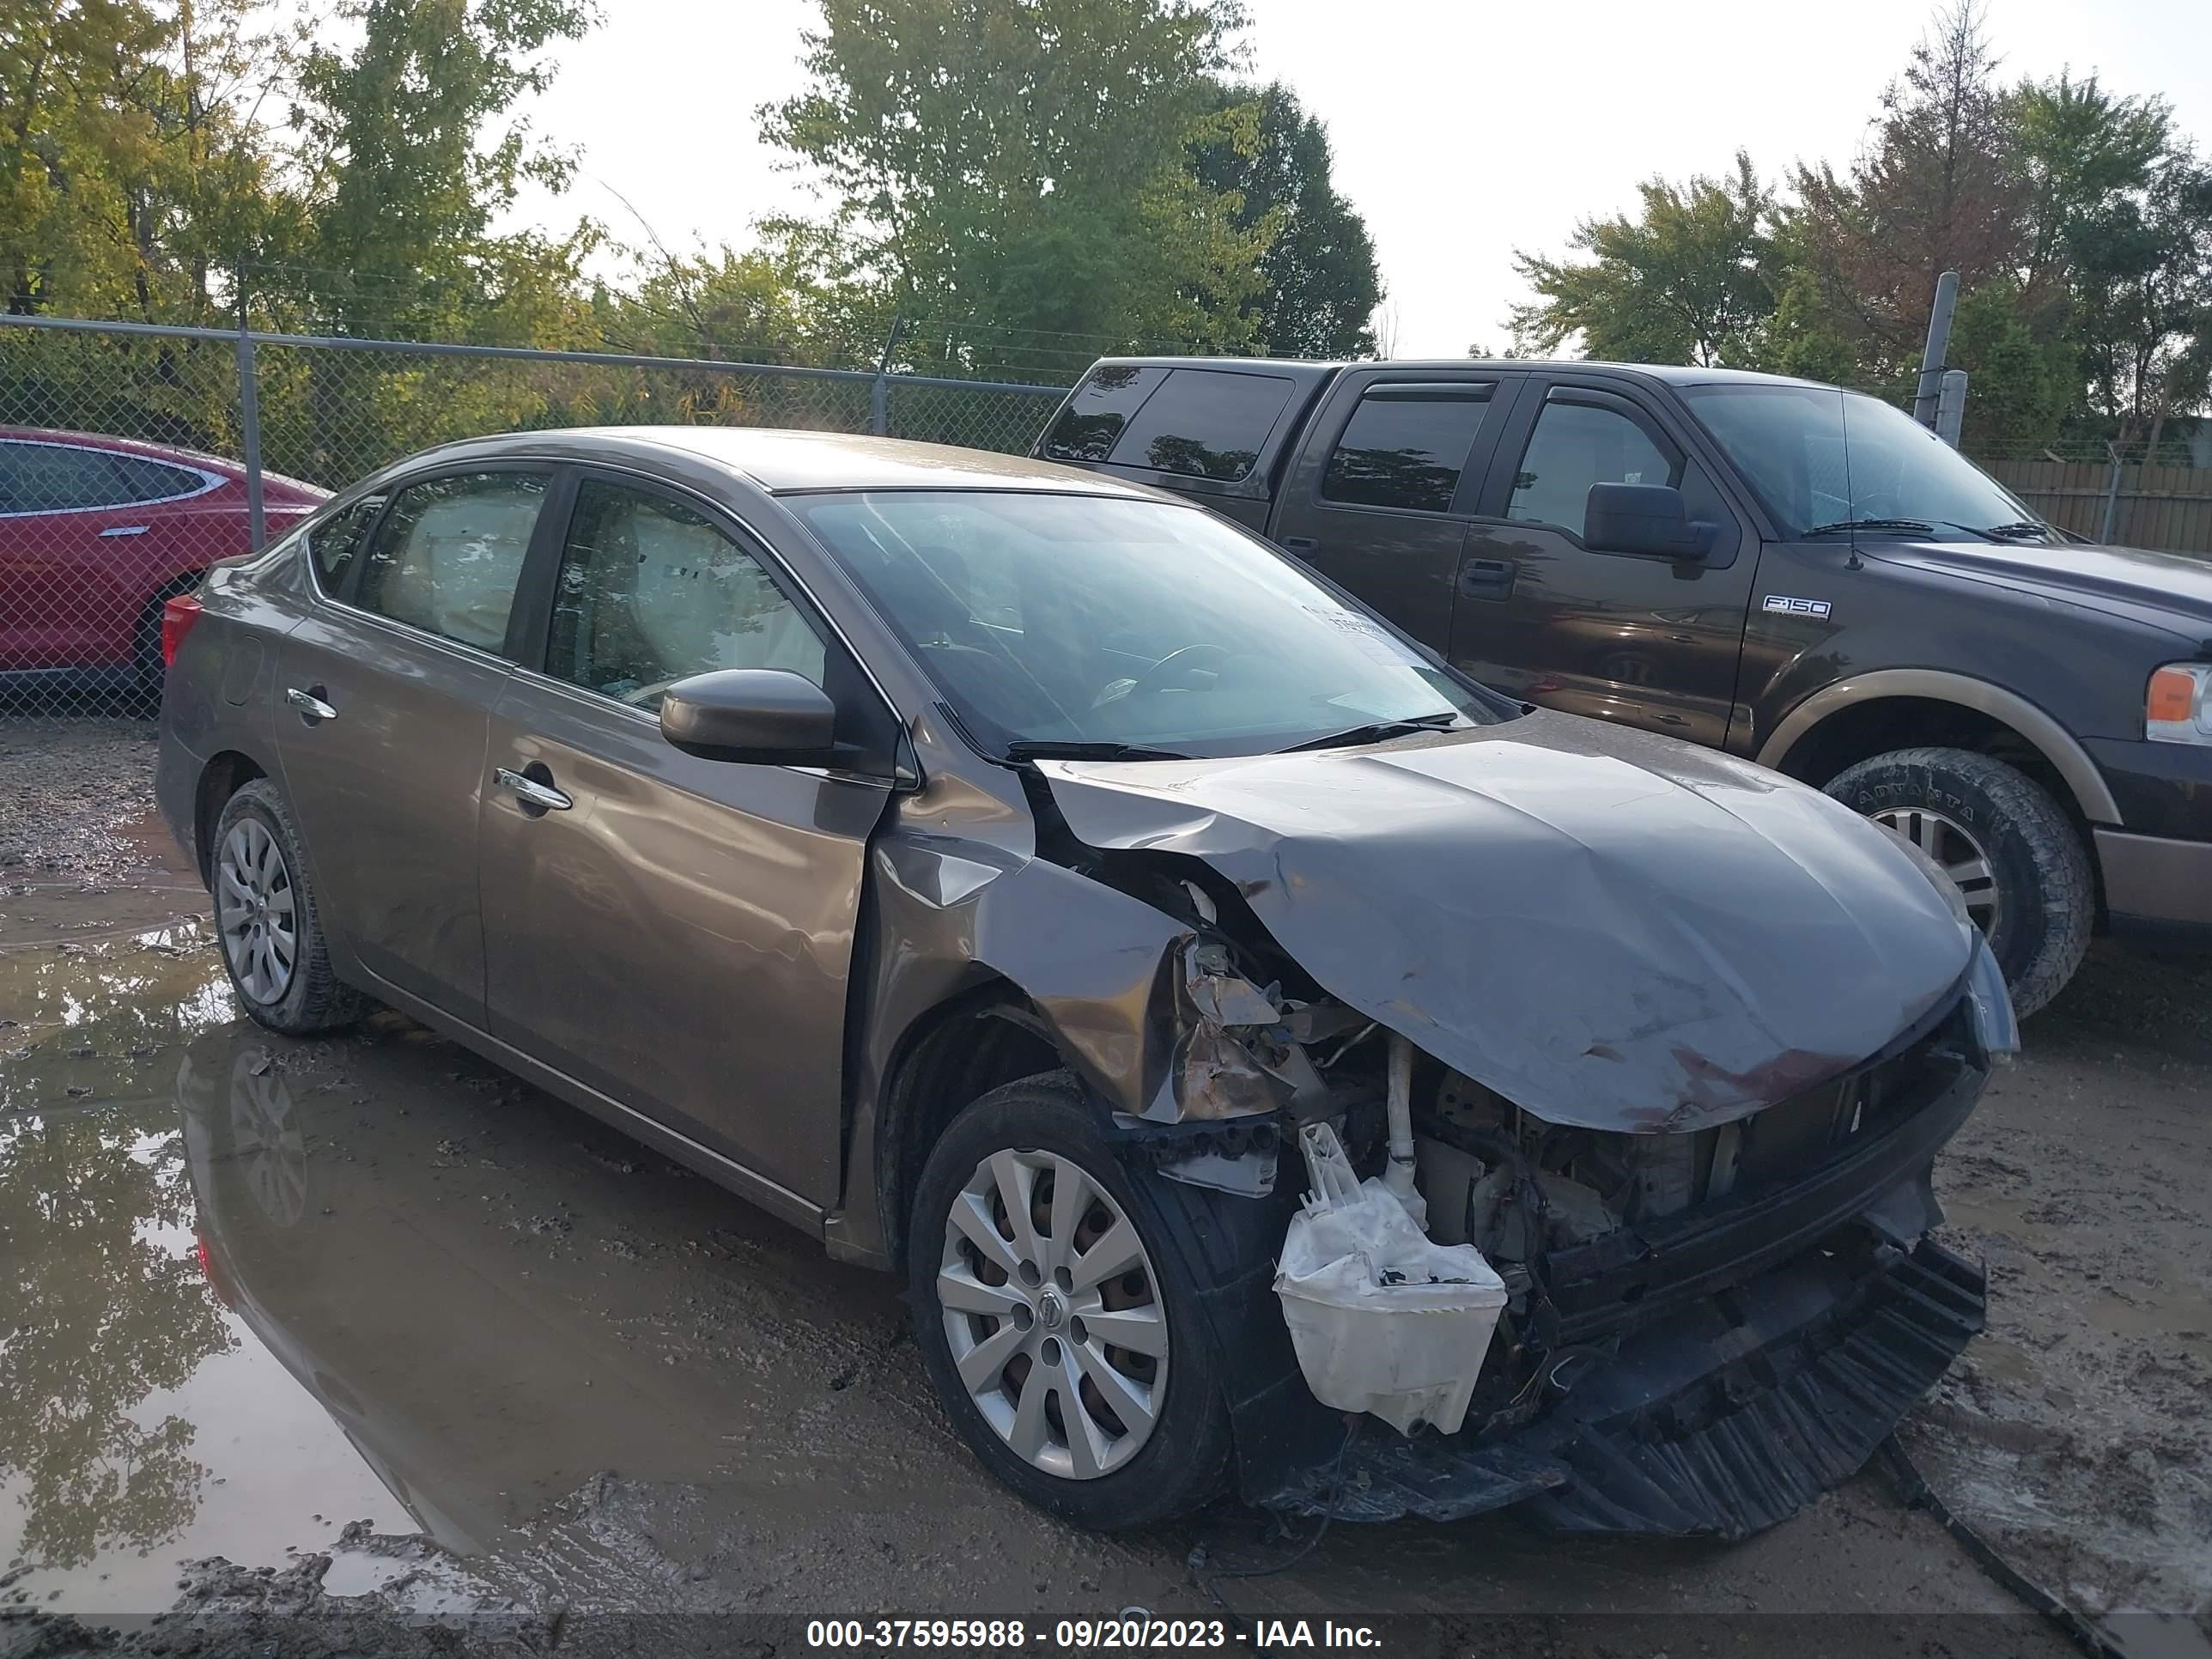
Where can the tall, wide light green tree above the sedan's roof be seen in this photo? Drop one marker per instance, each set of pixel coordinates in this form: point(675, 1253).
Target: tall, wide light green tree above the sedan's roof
point(1030, 169)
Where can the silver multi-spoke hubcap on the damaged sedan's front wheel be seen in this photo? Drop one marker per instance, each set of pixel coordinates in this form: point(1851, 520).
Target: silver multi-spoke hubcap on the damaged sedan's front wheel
point(1054, 1315)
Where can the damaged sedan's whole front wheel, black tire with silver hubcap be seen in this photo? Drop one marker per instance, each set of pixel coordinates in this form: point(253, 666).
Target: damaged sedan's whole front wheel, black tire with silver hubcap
point(1054, 1319)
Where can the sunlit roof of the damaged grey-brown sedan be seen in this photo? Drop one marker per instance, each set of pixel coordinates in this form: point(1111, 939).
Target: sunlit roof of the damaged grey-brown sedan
point(806, 461)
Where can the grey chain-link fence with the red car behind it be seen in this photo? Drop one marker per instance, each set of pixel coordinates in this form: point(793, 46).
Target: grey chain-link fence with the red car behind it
point(134, 457)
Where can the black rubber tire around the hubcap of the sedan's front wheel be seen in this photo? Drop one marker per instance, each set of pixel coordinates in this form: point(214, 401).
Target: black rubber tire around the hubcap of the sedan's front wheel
point(1185, 1459)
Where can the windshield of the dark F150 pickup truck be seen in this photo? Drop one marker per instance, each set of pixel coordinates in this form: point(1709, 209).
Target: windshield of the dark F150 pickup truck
point(1819, 457)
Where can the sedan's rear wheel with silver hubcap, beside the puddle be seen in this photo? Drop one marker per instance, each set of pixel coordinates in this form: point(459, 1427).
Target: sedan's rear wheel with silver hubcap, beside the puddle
point(269, 924)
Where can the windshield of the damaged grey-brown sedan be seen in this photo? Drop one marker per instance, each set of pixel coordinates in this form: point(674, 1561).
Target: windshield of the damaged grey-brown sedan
point(1081, 620)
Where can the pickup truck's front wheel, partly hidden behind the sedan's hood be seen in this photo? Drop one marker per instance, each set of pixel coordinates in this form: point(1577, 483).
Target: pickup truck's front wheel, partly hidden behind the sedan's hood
point(2005, 842)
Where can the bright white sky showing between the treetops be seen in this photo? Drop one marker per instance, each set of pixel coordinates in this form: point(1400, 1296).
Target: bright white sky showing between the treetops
point(1463, 129)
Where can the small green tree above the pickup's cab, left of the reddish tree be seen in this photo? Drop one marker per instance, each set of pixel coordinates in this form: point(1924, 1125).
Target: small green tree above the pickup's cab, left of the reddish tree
point(1684, 282)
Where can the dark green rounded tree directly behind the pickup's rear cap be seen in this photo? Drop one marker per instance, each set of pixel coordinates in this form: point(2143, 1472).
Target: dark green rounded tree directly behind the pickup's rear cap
point(1319, 282)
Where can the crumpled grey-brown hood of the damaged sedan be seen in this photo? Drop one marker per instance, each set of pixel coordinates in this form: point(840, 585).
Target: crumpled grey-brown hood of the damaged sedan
point(1609, 928)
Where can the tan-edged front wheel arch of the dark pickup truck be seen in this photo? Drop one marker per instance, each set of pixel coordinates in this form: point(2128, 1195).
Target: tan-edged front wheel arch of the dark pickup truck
point(1914, 707)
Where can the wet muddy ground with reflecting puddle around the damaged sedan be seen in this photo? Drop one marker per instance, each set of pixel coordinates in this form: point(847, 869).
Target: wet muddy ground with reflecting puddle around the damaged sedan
point(313, 1348)
